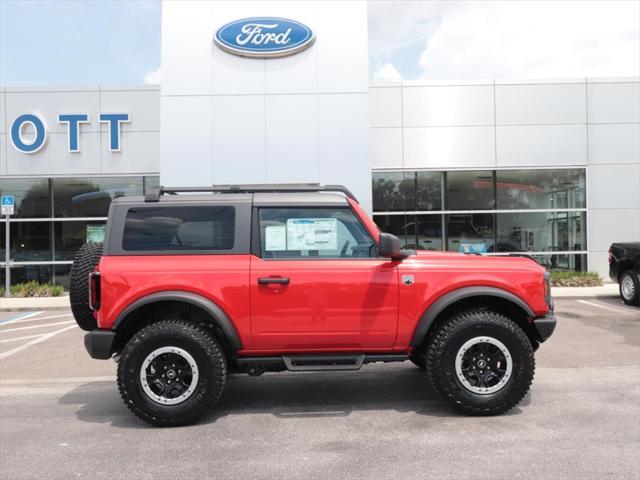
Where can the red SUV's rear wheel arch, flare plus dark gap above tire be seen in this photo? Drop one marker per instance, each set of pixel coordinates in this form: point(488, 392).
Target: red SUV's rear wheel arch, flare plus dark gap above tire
point(198, 308)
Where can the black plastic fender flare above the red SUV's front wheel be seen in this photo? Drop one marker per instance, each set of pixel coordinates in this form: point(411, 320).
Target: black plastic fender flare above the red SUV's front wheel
point(428, 317)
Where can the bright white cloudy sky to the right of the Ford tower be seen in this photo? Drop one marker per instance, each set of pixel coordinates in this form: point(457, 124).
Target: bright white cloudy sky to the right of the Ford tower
point(460, 40)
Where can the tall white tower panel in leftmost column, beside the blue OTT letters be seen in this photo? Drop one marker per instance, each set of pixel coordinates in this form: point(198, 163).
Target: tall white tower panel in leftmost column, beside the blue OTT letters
point(187, 151)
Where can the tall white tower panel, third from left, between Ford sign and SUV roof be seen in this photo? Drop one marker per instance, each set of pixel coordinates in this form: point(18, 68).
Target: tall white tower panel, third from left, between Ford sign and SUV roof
point(292, 138)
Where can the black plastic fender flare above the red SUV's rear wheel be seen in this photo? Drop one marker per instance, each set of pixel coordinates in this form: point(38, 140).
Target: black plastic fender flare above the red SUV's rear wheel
point(219, 317)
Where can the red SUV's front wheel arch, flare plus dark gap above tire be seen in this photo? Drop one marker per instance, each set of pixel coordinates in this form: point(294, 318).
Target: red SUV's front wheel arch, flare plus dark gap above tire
point(498, 299)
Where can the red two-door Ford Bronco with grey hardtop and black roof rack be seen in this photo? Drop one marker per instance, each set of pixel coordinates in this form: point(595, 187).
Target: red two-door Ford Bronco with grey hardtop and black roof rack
point(188, 288)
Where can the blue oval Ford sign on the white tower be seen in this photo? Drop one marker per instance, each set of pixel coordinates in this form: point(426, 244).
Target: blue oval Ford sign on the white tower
point(264, 37)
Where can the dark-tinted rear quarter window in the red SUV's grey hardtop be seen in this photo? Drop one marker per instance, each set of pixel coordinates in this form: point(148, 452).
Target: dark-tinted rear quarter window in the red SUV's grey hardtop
point(179, 228)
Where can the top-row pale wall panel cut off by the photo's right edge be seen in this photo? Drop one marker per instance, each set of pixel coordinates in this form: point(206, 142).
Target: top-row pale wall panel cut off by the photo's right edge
point(613, 102)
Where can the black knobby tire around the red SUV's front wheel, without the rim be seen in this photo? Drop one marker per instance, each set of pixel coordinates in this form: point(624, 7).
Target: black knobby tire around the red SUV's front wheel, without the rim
point(444, 345)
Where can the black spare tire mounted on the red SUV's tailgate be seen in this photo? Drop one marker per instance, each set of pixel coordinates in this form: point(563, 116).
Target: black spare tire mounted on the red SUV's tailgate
point(84, 263)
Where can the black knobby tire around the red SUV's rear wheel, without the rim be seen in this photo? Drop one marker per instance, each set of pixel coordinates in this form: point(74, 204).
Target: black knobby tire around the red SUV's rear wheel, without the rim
point(200, 344)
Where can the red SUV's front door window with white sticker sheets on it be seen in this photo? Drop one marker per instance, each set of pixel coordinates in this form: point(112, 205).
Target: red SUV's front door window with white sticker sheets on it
point(313, 233)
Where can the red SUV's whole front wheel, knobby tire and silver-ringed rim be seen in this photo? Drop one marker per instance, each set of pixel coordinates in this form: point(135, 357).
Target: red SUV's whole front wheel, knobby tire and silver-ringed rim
point(481, 362)
